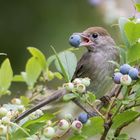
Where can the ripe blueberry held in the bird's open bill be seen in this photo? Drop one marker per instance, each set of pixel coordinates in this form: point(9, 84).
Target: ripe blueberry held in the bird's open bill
point(75, 40)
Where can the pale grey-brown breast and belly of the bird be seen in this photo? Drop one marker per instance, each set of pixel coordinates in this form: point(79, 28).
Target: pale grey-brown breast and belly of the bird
point(100, 71)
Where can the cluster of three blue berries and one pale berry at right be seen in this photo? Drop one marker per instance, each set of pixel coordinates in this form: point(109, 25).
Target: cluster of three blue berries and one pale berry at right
point(126, 74)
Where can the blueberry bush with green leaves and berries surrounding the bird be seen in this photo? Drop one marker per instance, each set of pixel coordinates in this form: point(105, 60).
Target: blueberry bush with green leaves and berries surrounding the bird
point(106, 120)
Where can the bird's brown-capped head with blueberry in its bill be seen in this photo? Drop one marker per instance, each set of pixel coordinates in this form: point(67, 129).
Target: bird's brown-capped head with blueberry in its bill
point(93, 38)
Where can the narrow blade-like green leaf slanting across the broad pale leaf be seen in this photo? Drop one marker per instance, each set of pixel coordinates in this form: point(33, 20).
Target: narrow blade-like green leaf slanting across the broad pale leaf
point(64, 72)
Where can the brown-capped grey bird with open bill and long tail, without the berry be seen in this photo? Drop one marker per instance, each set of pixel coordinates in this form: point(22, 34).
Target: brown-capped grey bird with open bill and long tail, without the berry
point(94, 64)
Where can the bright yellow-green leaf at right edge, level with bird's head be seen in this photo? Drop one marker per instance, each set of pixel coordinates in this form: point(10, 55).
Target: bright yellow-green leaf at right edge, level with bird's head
point(132, 31)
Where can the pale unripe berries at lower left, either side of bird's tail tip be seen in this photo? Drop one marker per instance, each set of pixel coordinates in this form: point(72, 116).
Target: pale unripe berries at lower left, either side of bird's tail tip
point(10, 111)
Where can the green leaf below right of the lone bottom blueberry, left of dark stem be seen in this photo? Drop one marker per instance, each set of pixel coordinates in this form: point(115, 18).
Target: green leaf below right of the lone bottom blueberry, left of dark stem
point(94, 128)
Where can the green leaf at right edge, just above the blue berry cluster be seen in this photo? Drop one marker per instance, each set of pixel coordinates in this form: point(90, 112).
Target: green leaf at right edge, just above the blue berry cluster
point(133, 53)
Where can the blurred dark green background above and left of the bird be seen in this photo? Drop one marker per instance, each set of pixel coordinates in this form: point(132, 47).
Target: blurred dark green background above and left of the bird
point(43, 23)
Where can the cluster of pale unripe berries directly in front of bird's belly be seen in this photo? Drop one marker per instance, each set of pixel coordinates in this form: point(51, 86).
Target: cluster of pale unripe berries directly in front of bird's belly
point(78, 85)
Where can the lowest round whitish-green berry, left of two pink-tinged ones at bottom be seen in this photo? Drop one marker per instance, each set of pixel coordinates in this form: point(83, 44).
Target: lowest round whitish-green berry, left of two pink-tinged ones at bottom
point(49, 132)
